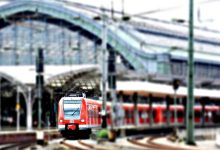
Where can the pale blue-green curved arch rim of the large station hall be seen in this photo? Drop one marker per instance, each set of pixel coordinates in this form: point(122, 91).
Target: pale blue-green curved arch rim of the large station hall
point(71, 17)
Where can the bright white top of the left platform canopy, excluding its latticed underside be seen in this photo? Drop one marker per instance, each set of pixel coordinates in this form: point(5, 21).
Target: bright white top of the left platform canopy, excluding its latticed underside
point(27, 74)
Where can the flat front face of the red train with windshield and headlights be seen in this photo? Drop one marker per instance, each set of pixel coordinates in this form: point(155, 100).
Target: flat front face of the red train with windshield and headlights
point(71, 115)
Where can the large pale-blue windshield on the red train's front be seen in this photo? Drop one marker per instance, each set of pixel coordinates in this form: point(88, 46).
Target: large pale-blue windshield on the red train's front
point(72, 109)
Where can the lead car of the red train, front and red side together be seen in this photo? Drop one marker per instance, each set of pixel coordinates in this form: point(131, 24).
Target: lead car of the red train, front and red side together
point(78, 114)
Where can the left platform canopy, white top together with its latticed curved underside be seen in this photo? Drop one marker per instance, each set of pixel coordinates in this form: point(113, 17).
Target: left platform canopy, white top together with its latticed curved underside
point(65, 76)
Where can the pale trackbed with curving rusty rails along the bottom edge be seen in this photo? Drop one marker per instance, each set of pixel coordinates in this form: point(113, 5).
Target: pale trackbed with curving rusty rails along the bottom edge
point(133, 143)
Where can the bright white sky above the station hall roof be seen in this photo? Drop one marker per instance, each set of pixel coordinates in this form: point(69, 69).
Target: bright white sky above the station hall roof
point(205, 11)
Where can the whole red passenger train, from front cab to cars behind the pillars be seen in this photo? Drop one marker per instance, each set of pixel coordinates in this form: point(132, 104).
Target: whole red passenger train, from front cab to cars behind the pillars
point(80, 114)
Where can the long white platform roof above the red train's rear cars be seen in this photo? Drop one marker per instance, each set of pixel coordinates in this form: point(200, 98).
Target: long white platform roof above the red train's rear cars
point(155, 89)
